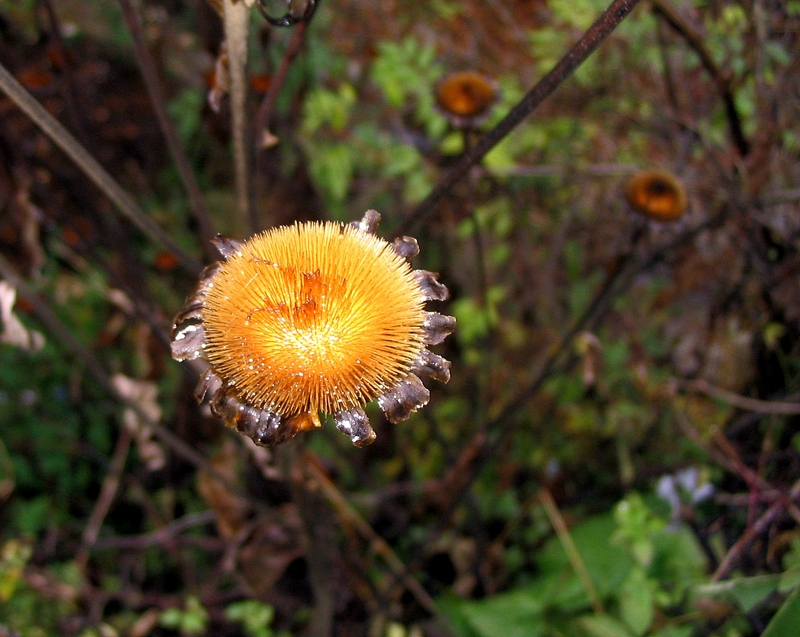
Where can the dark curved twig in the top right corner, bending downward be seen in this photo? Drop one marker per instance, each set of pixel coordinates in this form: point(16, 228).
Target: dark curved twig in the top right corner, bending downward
point(722, 80)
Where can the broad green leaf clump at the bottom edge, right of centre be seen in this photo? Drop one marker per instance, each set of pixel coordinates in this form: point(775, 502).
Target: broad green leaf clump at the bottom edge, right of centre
point(638, 565)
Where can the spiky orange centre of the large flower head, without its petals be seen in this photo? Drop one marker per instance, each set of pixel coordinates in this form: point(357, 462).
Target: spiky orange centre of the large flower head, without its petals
point(314, 316)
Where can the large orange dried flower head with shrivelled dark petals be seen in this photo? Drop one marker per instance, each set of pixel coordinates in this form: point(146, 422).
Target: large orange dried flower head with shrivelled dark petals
point(309, 318)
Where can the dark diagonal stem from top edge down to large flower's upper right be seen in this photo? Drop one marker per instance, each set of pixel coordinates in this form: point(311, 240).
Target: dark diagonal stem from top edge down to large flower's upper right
point(590, 40)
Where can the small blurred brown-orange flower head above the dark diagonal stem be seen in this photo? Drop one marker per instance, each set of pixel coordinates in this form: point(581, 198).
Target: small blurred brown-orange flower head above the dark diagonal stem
point(465, 97)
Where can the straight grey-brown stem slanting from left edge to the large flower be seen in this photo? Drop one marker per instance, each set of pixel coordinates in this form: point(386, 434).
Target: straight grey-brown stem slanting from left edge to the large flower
point(89, 165)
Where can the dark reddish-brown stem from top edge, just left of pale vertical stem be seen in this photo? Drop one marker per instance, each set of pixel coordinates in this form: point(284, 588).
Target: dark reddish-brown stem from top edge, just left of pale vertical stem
point(176, 149)
